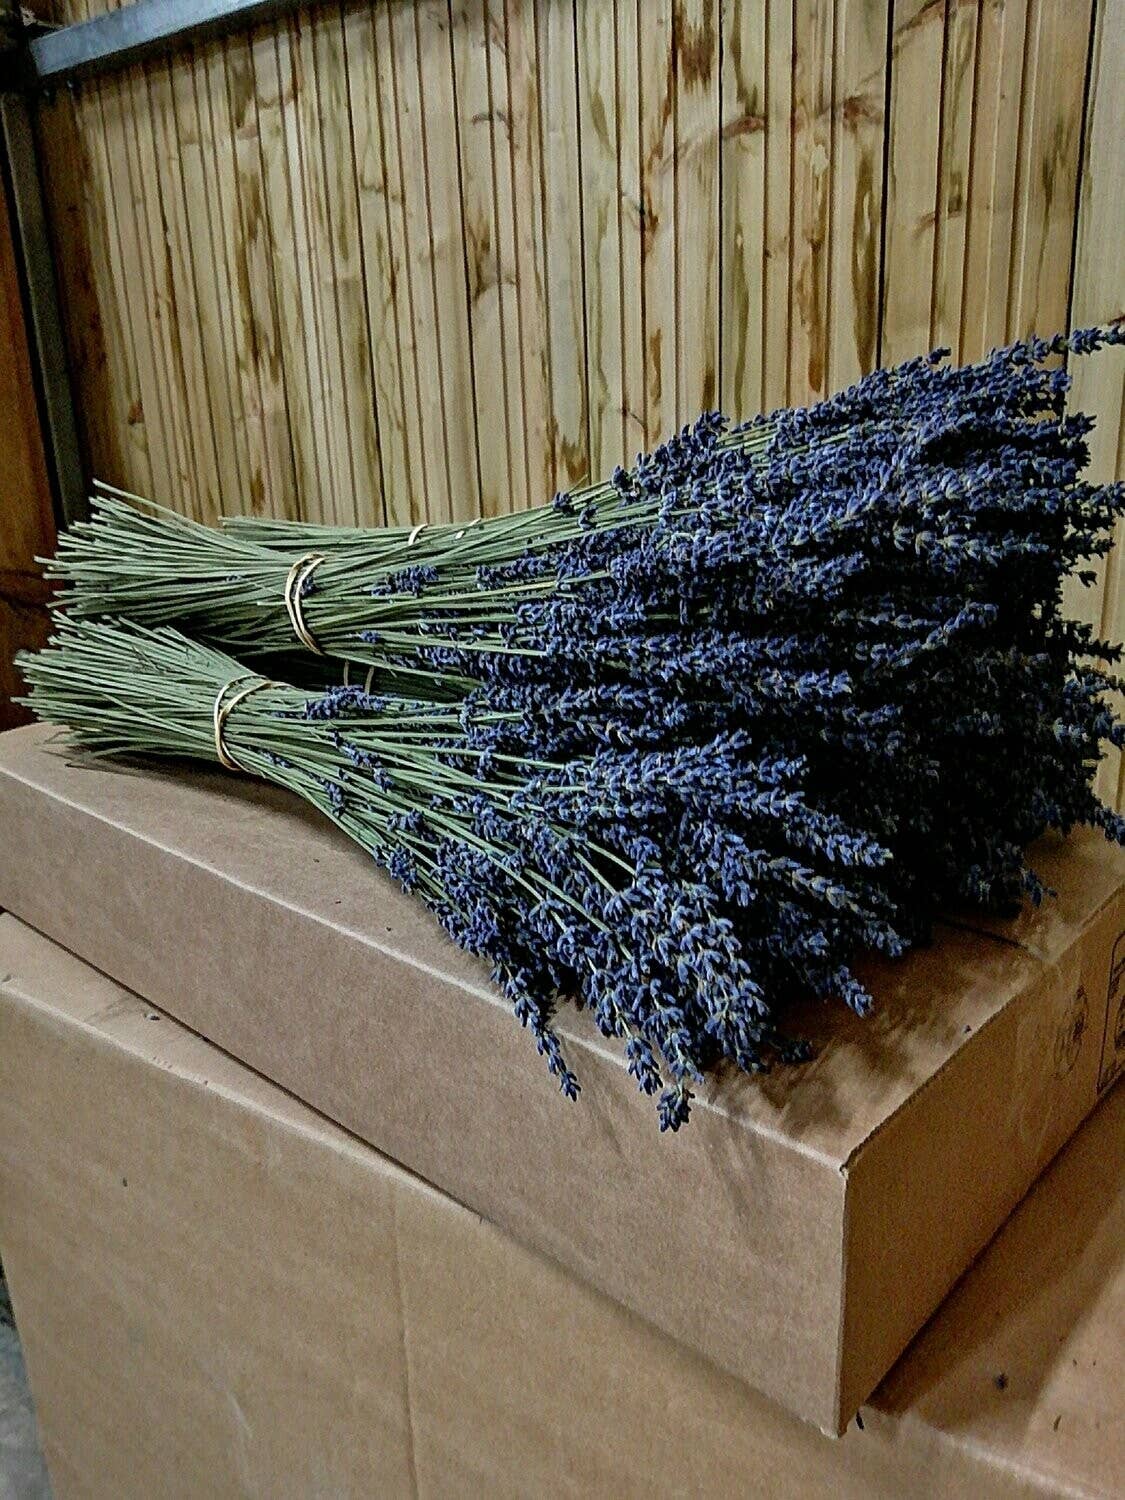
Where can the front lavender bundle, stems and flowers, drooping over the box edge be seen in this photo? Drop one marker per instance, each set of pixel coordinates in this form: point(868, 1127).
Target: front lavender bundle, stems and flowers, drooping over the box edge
point(557, 872)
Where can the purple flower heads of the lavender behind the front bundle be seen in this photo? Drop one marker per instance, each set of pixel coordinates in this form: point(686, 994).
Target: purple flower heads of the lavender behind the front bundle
point(880, 596)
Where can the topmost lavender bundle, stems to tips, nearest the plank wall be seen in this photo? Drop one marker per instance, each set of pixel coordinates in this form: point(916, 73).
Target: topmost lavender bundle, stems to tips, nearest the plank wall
point(658, 550)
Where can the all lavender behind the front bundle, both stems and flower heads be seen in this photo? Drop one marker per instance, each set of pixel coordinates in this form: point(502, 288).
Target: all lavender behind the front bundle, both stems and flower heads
point(872, 586)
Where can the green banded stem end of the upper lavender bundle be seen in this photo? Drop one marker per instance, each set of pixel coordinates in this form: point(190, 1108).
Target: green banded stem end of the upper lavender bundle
point(365, 596)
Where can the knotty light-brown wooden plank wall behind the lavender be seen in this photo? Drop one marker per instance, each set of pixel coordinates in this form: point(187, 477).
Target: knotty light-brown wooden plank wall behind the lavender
point(428, 259)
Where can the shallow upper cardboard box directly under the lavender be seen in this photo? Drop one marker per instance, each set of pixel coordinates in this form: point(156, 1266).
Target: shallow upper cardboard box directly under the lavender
point(797, 1234)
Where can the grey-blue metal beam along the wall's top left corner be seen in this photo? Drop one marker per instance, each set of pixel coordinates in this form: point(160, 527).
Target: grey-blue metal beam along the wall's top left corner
point(140, 31)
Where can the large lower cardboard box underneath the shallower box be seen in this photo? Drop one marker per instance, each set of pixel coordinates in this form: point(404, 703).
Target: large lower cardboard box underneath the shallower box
point(223, 1294)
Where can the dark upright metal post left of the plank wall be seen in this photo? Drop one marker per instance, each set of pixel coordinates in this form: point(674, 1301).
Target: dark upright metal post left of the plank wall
point(20, 179)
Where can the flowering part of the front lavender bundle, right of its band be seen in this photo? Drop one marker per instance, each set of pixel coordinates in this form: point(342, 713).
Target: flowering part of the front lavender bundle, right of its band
point(676, 893)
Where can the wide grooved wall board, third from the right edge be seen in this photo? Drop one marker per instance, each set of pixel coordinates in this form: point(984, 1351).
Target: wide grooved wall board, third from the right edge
point(802, 197)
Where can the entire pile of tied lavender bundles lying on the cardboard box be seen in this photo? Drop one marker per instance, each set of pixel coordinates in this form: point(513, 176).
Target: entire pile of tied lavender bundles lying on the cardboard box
point(679, 746)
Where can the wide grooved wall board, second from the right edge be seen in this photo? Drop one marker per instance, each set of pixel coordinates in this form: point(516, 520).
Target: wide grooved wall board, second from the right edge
point(980, 209)
